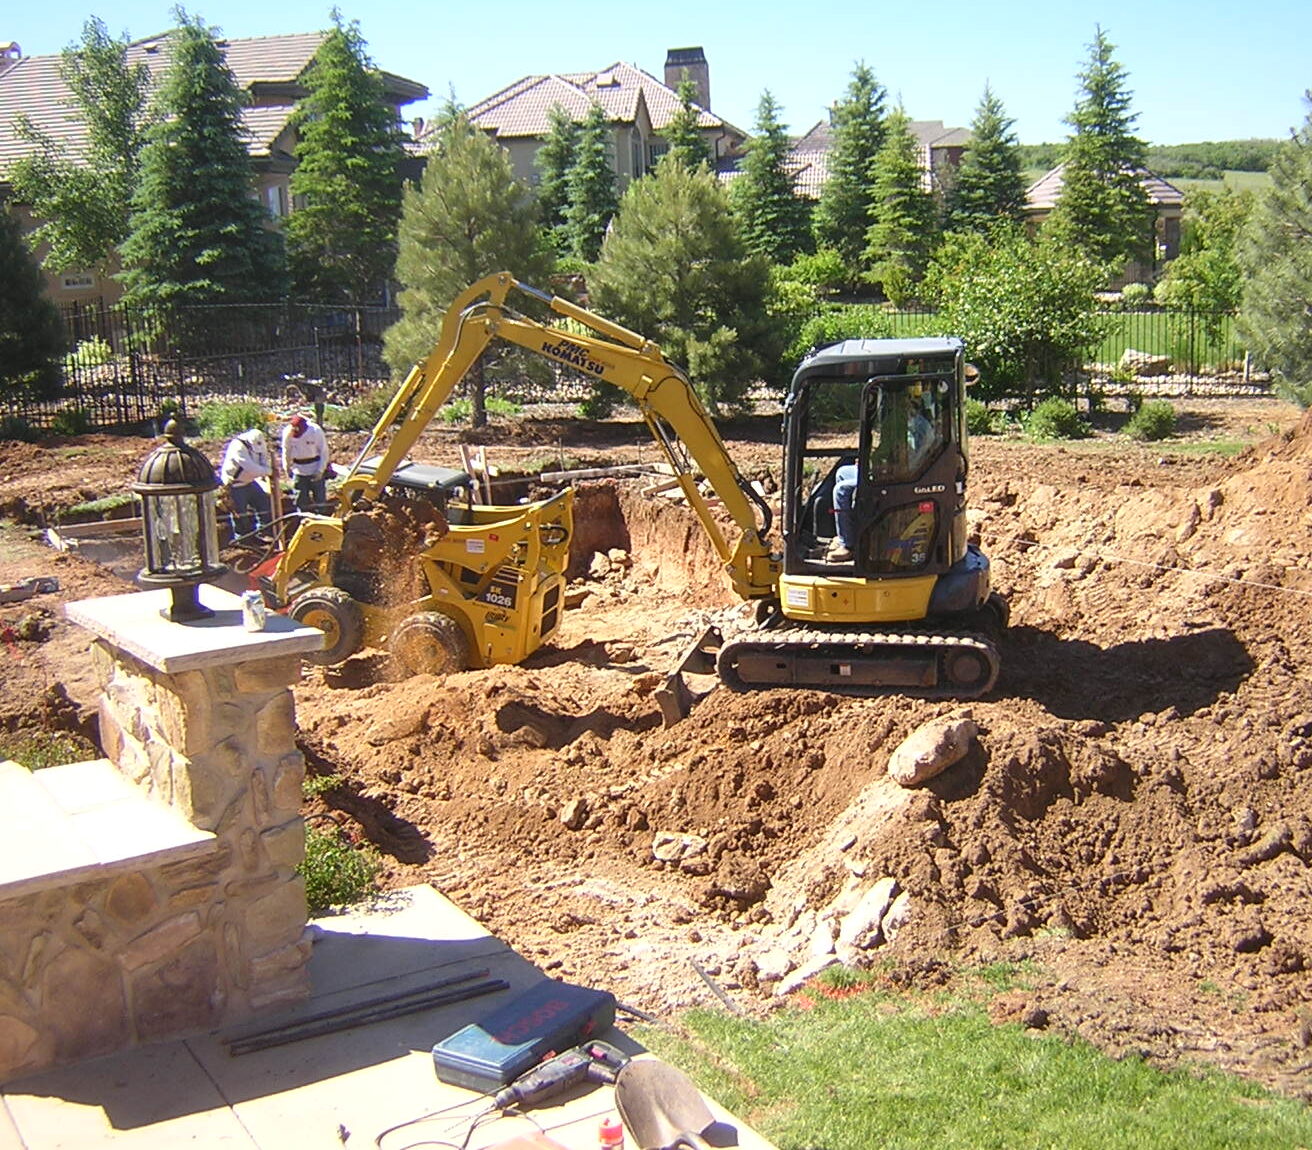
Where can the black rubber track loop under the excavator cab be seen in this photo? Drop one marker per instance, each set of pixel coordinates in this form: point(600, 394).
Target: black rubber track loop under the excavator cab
point(860, 647)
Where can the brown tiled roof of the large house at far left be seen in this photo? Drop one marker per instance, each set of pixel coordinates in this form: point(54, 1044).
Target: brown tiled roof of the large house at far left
point(33, 87)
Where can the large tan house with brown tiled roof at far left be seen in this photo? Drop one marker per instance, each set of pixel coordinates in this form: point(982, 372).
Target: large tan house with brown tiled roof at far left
point(270, 70)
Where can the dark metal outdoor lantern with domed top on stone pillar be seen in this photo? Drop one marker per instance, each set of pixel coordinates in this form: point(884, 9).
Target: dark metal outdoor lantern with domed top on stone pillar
point(178, 487)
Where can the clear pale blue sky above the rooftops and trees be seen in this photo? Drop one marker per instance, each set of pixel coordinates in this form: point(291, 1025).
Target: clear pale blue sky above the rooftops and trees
point(1199, 71)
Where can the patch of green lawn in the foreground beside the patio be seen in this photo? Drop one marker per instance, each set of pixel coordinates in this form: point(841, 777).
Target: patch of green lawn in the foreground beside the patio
point(871, 1071)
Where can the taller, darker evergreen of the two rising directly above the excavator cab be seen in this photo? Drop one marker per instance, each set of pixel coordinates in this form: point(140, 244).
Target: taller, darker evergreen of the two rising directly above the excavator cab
point(844, 213)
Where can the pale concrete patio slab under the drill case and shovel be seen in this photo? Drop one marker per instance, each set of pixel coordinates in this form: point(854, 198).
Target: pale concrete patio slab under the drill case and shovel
point(347, 1089)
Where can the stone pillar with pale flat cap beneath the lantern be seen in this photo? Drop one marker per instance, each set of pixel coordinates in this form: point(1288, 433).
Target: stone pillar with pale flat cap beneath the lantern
point(201, 717)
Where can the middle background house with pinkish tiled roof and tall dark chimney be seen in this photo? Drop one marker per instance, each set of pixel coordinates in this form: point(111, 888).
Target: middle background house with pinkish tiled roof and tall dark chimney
point(638, 109)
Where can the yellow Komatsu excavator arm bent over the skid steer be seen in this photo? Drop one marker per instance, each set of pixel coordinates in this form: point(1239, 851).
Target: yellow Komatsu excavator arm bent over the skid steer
point(670, 405)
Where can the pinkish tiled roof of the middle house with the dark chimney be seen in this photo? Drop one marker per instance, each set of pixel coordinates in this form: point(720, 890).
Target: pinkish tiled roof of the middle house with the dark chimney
point(522, 109)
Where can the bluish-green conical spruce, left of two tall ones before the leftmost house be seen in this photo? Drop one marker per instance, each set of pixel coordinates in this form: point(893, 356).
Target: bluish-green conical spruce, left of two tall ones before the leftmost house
point(197, 235)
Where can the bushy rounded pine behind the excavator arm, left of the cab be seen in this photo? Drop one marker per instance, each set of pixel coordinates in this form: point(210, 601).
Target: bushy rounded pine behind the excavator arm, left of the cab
point(675, 268)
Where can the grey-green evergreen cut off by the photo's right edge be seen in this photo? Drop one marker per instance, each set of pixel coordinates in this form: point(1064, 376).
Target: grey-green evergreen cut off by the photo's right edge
point(1276, 252)
